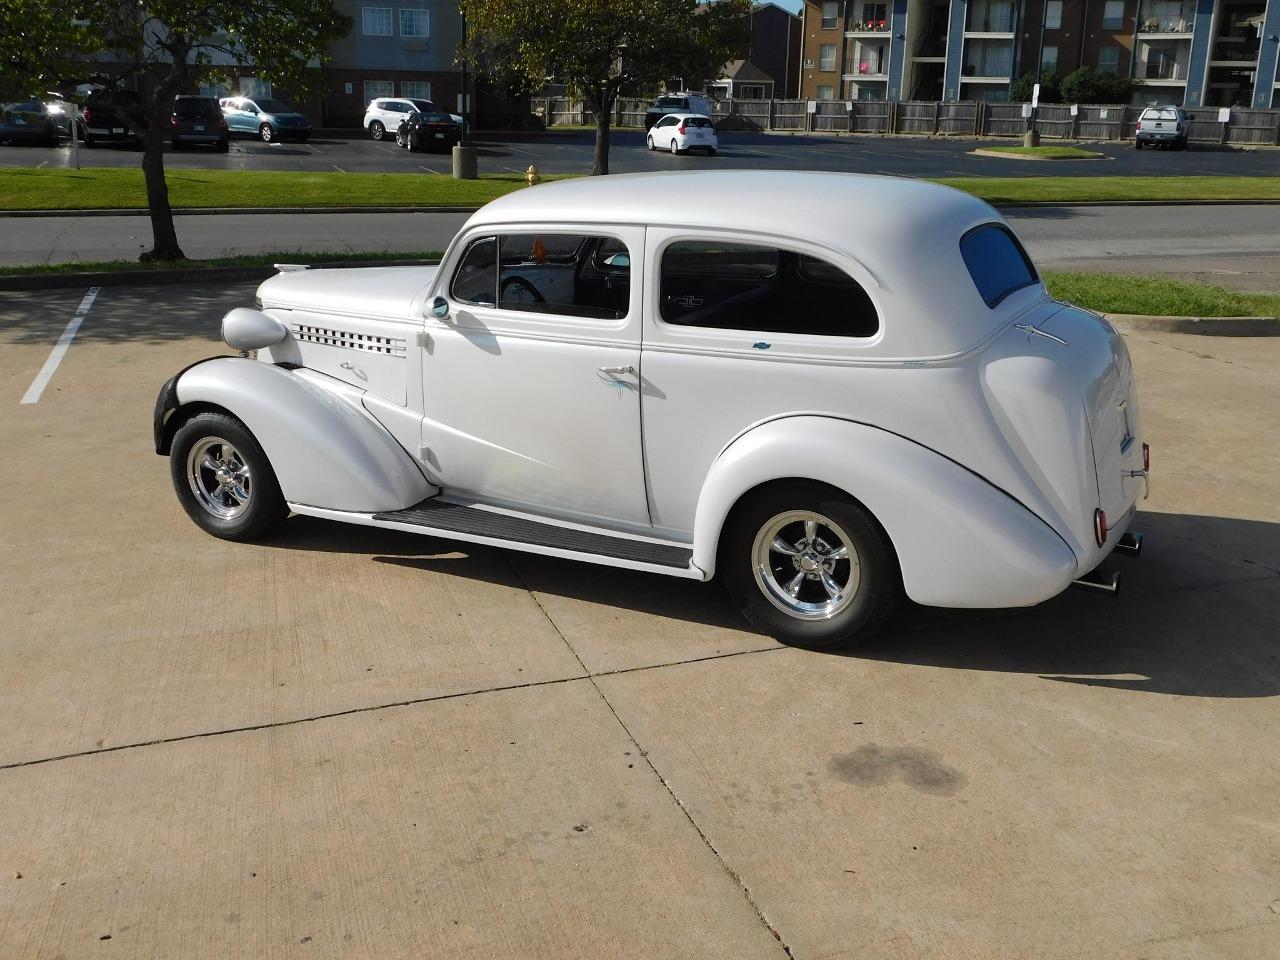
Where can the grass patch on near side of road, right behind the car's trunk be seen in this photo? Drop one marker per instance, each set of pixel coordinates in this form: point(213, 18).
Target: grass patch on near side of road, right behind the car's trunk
point(1158, 296)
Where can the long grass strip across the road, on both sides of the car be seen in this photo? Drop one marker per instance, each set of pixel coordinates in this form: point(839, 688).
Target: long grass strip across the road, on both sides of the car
point(108, 189)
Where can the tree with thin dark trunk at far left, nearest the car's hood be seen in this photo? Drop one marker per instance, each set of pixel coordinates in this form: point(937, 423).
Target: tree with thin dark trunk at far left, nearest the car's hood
point(161, 49)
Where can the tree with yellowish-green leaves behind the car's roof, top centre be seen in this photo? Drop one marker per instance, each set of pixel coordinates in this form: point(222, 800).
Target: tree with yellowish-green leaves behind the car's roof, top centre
point(601, 49)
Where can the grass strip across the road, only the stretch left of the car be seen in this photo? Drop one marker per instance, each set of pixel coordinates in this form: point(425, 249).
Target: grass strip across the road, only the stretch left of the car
point(107, 189)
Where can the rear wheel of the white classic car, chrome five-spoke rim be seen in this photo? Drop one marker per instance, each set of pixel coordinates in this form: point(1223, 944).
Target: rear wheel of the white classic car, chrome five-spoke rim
point(808, 565)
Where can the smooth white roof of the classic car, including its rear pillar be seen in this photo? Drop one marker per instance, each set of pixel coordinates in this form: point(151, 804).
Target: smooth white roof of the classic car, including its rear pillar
point(904, 234)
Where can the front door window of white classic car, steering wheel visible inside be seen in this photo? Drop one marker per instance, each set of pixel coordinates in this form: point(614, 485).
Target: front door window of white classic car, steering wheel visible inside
point(554, 273)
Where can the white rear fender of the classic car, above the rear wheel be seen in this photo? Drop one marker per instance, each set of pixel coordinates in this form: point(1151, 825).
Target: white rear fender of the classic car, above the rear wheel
point(961, 542)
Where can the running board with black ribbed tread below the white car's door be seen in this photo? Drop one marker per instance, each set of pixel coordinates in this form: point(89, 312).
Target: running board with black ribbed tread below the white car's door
point(456, 522)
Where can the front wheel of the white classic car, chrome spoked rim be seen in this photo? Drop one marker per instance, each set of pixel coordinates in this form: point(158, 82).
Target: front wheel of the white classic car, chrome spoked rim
point(225, 481)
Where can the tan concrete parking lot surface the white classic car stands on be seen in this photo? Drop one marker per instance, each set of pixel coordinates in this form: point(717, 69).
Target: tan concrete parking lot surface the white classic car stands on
point(351, 743)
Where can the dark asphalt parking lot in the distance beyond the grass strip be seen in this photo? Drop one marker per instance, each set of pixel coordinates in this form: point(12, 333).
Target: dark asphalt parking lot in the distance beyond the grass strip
point(572, 153)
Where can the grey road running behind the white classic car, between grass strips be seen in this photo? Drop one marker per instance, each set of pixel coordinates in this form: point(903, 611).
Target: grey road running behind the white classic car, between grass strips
point(1233, 245)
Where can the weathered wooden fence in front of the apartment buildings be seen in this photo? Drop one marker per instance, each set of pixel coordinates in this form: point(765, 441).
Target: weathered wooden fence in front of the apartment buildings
point(1114, 122)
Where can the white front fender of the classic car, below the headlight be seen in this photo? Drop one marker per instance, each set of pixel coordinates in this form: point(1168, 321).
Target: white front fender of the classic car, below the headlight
point(326, 451)
